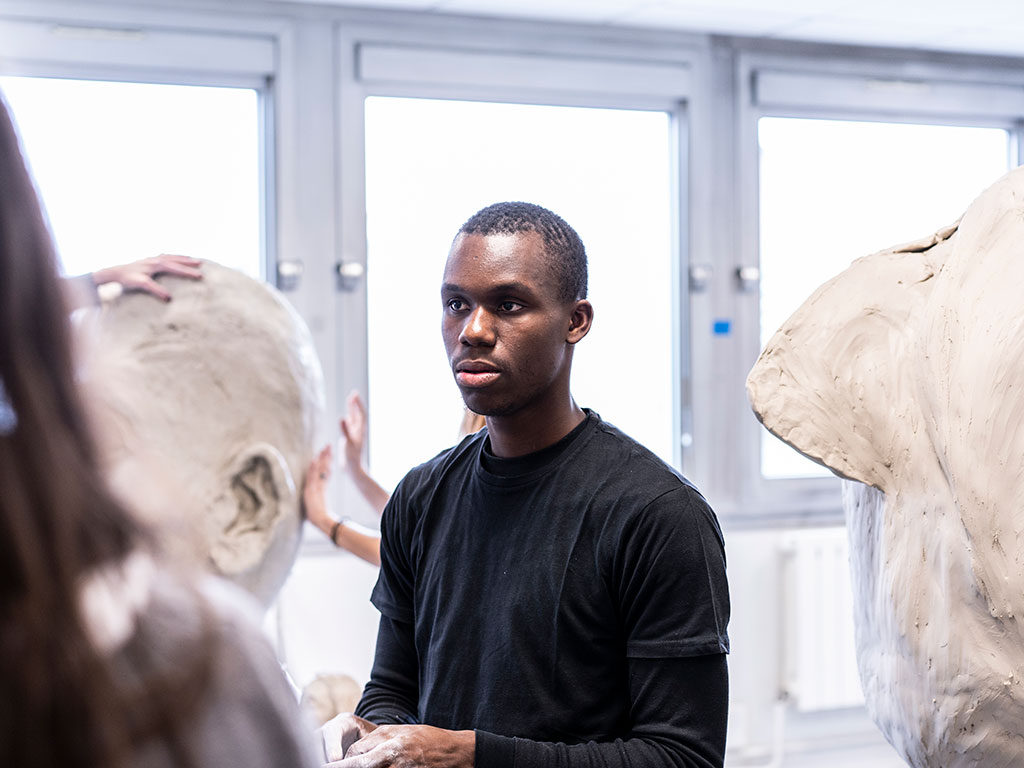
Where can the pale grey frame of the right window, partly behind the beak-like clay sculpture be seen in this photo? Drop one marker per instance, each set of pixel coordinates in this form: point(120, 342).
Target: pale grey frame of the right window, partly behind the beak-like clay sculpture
point(899, 91)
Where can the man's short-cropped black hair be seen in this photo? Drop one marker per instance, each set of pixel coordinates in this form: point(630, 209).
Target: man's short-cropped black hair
point(565, 249)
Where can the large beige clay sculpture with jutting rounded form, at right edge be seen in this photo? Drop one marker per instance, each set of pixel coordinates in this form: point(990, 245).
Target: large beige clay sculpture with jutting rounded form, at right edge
point(906, 374)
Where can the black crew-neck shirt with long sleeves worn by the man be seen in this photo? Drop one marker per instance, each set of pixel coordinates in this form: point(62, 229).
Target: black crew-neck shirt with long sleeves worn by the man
point(570, 607)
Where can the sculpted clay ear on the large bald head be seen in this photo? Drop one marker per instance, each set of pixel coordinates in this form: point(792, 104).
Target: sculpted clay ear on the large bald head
point(260, 493)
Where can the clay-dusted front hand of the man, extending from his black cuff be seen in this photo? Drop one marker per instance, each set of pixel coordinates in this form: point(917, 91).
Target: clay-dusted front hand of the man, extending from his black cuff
point(411, 747)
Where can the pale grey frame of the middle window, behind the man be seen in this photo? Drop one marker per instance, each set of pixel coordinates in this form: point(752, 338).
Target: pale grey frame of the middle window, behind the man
point(524, 66)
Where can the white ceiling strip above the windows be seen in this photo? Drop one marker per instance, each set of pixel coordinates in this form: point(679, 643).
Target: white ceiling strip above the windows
point(995, 27)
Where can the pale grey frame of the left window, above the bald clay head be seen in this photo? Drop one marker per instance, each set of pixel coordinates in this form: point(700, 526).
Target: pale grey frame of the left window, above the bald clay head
point(288, 59)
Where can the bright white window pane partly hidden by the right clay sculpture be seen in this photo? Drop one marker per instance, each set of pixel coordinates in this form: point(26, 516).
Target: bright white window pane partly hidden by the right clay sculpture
point(834, 191)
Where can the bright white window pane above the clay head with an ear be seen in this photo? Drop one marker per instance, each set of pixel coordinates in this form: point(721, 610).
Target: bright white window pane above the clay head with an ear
point(129, 170)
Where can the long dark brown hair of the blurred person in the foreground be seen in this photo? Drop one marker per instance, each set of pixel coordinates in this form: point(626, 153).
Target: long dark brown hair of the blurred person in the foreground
point(62, 703)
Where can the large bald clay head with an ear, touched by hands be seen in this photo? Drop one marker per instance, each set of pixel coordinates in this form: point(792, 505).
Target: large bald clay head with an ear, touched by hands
point(215, 401)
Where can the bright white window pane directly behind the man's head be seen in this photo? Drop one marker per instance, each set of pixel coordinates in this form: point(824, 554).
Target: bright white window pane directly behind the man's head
point(431, 165)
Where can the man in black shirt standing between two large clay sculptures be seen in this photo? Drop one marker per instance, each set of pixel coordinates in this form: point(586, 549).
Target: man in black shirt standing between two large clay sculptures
point(551, 593)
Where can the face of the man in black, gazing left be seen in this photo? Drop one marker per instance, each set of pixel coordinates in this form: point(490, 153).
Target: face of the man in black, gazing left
point(507, 332)
